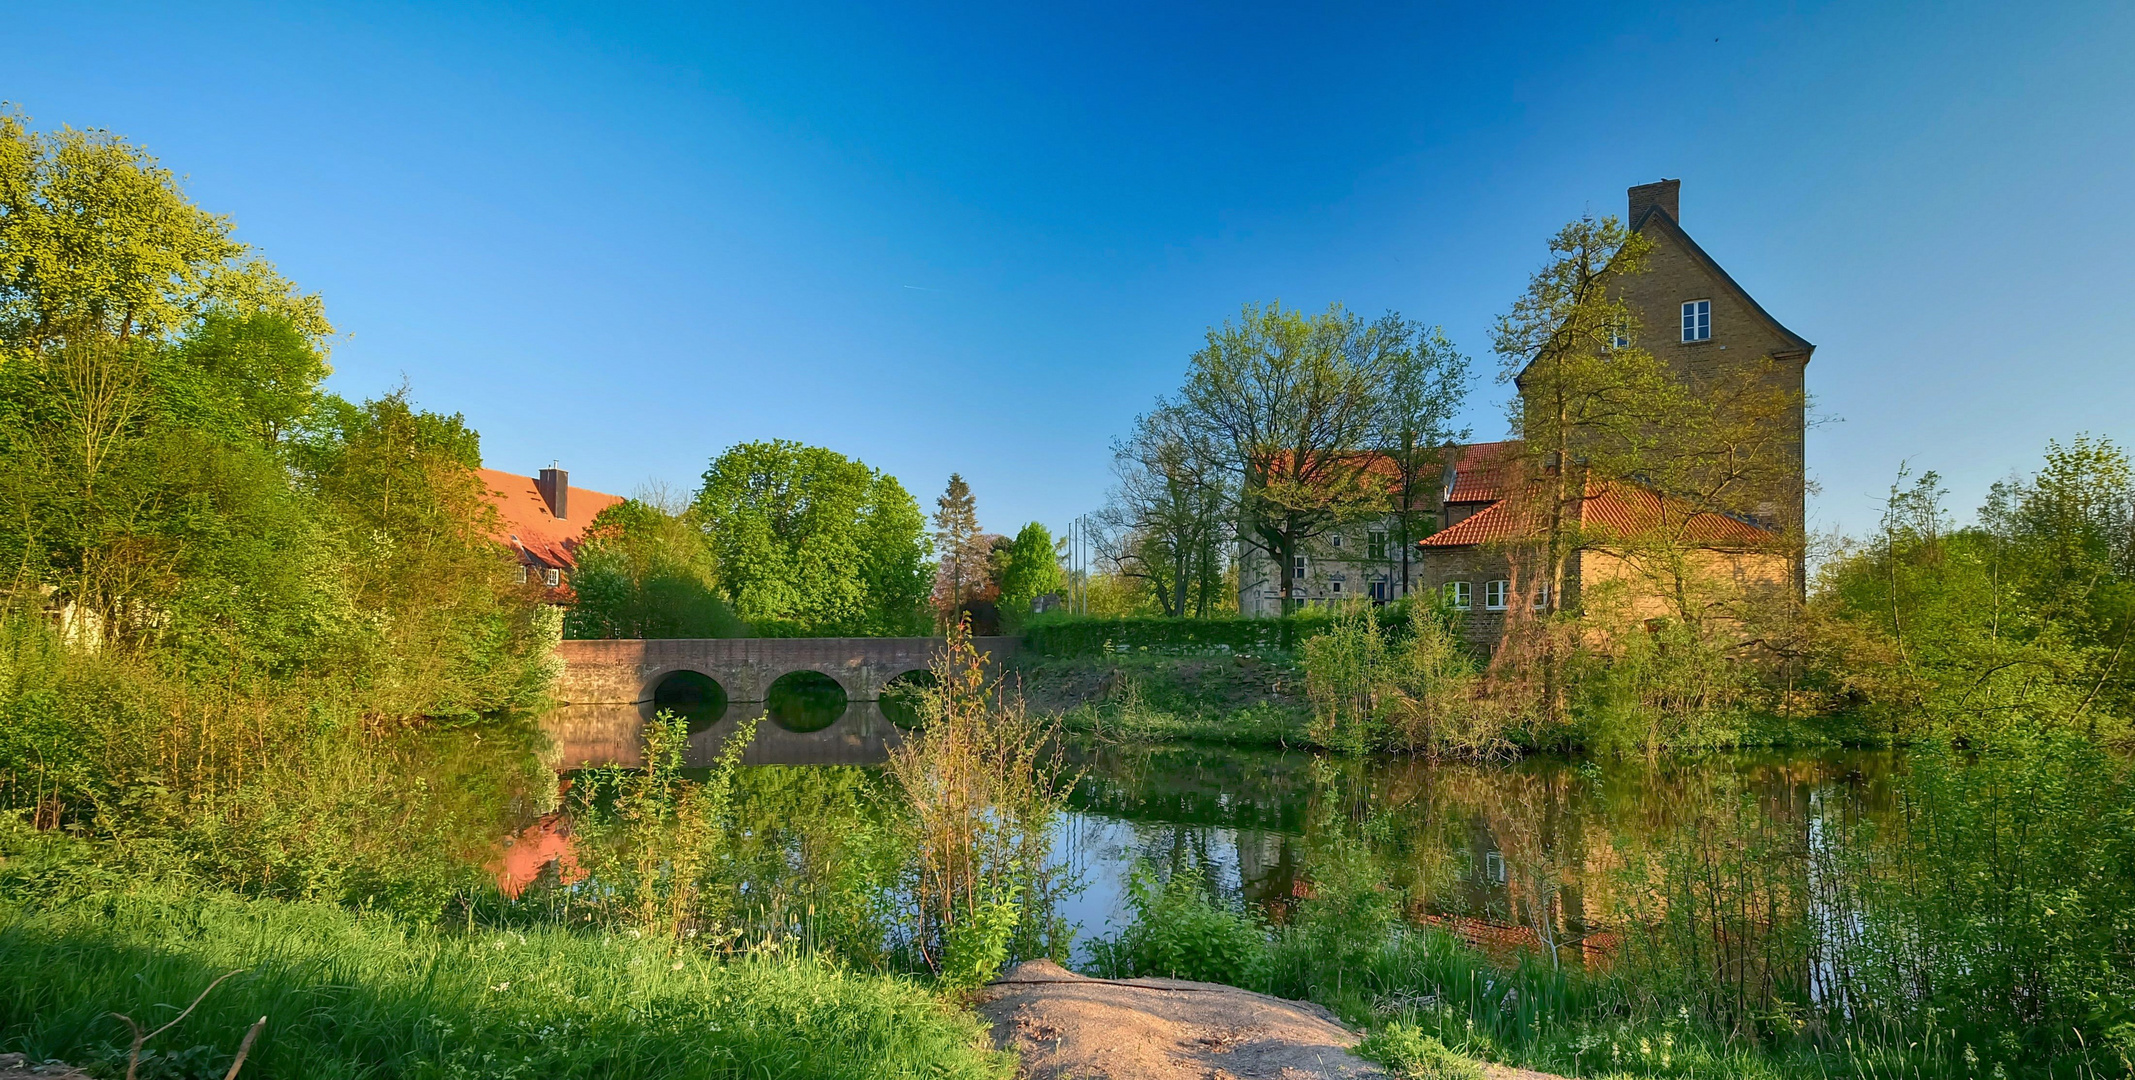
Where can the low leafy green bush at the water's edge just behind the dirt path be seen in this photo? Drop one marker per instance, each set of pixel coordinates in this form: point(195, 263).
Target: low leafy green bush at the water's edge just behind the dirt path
point(1182, 932)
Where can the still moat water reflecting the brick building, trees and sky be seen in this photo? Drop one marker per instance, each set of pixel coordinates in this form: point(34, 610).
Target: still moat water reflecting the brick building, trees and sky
point(1547, 853)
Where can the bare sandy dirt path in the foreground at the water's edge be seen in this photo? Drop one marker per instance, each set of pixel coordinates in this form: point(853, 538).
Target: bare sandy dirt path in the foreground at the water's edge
point(1075, 1028)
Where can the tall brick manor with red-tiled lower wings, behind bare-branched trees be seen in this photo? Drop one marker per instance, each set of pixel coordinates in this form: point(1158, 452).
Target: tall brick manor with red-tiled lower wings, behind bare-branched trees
point(1698, 321)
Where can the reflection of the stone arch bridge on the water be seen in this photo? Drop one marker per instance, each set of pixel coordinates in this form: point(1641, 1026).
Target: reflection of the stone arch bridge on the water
point(614, 735)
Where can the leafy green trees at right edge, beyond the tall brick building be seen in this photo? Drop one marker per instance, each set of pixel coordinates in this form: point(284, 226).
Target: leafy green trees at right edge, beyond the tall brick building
point(1989, 633)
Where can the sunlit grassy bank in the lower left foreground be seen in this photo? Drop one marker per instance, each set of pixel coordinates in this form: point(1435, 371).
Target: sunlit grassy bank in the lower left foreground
point(353, 996)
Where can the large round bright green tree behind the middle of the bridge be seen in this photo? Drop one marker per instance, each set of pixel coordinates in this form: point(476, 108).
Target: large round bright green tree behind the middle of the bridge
point(810, 541)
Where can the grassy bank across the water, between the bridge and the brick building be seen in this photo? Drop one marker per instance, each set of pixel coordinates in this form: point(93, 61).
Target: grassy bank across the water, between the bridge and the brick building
point(1235, 699)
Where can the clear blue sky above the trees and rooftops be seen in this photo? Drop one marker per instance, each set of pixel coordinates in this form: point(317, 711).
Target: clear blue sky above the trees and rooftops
point(983, 240)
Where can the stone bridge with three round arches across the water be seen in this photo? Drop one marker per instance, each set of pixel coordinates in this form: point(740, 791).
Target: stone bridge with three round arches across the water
point(610, 690)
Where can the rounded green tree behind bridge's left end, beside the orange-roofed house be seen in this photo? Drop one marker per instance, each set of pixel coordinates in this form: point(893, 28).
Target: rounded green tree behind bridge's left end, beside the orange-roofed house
point(646, 573)
